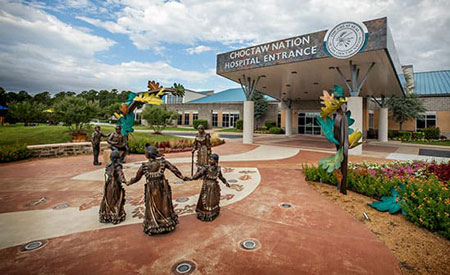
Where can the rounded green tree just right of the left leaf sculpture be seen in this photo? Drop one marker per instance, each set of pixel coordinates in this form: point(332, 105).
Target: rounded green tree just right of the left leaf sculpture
point(158, 117)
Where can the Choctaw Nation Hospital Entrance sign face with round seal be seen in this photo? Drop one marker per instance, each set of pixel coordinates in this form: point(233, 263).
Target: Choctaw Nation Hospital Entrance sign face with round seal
point(343, 41)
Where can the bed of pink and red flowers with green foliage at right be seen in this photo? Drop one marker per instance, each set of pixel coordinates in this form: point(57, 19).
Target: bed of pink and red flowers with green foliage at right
point(423, 188)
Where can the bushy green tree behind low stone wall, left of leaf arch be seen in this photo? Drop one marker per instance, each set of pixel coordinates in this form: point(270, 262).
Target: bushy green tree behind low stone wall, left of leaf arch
point(76, 112)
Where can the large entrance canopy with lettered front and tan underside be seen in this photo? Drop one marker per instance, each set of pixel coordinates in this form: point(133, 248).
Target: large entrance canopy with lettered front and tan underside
point(299, 68)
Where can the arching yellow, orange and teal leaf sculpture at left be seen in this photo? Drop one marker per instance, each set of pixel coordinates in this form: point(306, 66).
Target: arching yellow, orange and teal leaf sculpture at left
point(135, 100)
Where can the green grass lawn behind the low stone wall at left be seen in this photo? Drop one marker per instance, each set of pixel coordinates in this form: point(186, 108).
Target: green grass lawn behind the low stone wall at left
point(44, 134)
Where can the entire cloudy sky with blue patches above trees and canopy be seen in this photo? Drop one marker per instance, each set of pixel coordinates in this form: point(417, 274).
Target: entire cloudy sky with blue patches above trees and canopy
point(78, 45)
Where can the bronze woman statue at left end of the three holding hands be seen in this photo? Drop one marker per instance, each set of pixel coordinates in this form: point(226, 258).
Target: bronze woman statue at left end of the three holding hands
point(112, 205)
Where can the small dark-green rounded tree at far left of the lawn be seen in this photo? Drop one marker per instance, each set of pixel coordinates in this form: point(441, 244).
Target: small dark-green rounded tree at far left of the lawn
point(26, 111)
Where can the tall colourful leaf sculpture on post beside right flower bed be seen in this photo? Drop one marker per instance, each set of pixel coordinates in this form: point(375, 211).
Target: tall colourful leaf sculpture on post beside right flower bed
point(335, 121)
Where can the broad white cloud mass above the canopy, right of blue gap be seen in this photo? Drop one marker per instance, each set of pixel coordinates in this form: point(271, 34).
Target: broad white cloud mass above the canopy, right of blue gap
point(417, 26)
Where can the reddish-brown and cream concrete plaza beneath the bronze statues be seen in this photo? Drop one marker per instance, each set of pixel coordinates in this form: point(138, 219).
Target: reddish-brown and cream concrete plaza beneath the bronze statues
point(56, 201)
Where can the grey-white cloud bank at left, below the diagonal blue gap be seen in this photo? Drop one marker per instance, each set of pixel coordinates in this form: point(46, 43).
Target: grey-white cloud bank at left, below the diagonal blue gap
point(38, 52)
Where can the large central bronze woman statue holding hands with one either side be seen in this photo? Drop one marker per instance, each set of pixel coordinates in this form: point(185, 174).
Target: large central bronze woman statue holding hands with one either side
point(160, 216)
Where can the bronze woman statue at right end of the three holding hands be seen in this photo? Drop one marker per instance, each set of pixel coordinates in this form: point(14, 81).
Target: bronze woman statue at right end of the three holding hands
point(208, 203)
